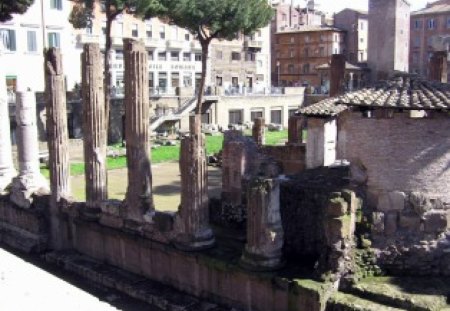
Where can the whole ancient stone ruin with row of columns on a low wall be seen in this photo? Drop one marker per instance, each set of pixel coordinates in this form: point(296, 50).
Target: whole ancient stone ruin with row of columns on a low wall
point(277, 214)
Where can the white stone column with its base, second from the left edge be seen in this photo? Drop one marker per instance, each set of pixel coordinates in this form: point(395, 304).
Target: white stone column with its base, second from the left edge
point(30, 181)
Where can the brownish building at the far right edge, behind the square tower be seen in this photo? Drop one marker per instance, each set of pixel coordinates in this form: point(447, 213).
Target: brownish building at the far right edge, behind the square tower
point(426, 25)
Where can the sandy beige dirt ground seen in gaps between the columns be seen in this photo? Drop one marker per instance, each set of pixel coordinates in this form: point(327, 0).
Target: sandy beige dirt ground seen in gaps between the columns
point(166, 185)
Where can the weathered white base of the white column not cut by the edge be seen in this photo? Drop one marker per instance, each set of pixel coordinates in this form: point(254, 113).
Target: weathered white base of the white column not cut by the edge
point(25, 186)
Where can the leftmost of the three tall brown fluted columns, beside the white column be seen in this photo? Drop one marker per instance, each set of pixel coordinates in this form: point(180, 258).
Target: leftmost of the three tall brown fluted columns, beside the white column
point(57, 137)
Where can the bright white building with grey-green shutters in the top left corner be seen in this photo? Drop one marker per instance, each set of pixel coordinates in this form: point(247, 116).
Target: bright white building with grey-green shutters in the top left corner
point(24, 38)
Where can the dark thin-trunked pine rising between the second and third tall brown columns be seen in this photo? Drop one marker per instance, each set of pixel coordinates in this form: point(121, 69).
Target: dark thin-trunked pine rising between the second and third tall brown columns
point(82, 15)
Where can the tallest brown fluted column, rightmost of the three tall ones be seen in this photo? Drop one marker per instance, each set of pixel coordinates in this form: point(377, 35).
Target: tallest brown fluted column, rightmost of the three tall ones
point(139, 199)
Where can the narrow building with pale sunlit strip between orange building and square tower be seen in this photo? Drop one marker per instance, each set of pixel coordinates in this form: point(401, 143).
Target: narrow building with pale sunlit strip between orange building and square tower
point(356, 25)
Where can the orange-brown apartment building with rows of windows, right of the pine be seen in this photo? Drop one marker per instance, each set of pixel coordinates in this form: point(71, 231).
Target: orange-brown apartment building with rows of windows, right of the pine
point(299, 52)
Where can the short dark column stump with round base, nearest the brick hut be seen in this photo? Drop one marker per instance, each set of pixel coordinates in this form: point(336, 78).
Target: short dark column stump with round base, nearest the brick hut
point(263, 250)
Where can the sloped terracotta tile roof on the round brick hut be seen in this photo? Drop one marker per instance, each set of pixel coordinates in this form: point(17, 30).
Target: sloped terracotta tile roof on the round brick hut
point(409, 92)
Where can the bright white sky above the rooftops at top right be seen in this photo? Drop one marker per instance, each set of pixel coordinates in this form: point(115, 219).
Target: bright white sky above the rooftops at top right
point(338, 5)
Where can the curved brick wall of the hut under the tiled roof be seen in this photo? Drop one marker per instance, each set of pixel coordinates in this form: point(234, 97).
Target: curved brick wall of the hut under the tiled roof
point(399, 153)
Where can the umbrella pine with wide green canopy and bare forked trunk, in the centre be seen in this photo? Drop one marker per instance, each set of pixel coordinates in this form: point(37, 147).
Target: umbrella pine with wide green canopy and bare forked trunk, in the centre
point(213, 19)
